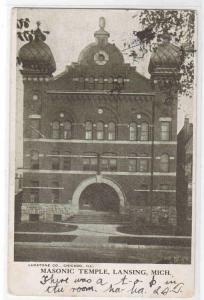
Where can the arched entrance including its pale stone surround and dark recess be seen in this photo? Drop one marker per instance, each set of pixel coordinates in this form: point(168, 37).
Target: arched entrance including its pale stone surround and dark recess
point(99, 194)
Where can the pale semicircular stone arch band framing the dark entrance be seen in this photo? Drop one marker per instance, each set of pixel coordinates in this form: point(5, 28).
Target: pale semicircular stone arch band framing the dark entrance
point(96, 179)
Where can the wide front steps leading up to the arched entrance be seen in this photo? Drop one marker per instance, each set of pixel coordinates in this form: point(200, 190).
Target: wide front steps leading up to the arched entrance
point(94, 217)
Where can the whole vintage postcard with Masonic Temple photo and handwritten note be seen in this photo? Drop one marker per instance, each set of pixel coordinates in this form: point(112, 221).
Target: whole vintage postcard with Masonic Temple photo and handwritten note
point(103, 126)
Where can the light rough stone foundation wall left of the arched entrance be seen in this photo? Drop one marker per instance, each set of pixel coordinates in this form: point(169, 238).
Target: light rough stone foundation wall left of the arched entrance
point(45, 212)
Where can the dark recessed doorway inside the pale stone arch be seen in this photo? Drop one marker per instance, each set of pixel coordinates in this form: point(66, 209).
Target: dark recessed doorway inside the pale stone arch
point(99, 197)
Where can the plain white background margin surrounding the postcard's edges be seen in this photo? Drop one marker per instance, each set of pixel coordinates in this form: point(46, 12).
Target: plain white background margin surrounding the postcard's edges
point(5, 14)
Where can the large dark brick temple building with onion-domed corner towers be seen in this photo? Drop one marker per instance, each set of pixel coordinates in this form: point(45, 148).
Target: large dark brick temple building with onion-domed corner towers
point(99, 136)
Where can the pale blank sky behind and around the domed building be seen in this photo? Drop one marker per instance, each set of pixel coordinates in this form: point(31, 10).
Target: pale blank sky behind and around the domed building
point(70, 31)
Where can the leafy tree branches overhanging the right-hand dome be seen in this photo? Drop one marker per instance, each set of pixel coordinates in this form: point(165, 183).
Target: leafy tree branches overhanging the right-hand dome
point(180, 25)
